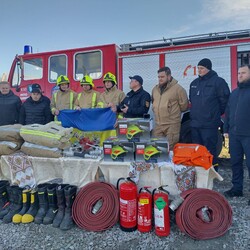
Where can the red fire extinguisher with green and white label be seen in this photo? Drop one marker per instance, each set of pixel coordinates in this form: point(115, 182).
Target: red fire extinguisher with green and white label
point(161, 212)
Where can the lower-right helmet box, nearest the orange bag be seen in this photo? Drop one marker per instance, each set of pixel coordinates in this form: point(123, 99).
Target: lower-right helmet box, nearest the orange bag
point(153, 151)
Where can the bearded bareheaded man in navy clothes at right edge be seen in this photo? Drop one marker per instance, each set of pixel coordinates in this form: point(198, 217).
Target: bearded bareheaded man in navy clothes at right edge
point(236, 127)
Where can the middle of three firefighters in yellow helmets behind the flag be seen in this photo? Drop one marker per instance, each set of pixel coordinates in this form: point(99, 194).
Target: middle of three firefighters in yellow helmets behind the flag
point(89, 97)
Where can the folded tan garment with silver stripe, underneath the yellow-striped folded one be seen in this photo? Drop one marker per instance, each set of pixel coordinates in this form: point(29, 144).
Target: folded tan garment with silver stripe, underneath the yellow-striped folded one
point(40, 151)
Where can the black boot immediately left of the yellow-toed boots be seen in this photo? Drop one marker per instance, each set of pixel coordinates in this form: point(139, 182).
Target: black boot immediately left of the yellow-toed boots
point(16, 204)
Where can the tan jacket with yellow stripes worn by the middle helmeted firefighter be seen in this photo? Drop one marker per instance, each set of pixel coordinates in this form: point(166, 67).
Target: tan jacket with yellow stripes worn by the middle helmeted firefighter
point(87, 99)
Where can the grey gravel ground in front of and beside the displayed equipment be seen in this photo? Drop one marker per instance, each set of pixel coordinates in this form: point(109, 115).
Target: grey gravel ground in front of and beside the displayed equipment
point(32, 236)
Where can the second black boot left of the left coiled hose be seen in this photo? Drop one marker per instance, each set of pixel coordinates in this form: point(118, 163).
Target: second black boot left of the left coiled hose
point(61, 205)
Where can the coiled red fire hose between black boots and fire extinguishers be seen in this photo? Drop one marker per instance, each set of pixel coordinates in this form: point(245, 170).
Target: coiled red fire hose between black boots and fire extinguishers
point(96, 207)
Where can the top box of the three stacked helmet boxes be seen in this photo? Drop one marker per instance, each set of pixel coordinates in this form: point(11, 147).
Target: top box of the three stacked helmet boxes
point(134, 130)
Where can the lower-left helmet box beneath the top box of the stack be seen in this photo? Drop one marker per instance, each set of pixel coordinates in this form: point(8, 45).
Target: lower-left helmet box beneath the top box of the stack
point(116, 150)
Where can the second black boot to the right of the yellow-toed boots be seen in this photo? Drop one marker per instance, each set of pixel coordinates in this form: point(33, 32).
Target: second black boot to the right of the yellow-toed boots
point(53, 208)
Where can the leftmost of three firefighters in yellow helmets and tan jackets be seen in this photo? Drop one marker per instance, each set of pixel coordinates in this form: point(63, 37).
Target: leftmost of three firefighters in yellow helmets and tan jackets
point(64, 98)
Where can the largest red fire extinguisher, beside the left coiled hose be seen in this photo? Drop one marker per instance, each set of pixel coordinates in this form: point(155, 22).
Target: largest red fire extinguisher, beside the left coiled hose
point(128, 204)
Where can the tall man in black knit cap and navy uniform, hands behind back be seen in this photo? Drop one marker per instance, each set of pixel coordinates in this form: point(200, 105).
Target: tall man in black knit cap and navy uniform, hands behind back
point(208, 95)
